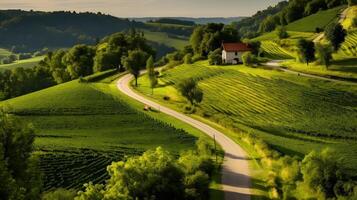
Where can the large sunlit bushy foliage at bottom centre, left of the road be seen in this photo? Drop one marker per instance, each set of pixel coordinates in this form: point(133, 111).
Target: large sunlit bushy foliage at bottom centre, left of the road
point(155, 175)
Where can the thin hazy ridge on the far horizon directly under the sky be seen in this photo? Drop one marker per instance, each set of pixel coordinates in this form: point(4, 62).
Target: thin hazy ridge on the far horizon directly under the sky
point(201, 20)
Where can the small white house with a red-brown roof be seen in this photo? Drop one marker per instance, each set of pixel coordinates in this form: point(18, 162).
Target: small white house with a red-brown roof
point(232, 52)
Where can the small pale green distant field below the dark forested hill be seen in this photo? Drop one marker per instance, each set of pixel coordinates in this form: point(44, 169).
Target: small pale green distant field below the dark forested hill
point(163, 38)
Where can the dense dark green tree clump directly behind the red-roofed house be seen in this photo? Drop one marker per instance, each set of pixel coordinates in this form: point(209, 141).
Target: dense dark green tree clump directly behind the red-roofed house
point(207, 38)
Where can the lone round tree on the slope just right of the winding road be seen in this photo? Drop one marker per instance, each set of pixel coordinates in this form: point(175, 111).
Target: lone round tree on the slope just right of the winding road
point(189, 89)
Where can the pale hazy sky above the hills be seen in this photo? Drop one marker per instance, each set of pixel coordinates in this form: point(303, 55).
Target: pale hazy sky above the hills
point(147, 8)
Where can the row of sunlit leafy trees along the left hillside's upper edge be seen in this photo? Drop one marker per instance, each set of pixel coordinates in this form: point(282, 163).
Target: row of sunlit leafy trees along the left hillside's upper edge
point(113, 52)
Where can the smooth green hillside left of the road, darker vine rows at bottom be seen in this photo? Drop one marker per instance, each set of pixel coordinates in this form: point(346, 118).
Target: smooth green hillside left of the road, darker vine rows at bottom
point(83, 127)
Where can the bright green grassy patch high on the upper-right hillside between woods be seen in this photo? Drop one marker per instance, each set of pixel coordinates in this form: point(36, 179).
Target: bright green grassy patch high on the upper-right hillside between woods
point(317, 20)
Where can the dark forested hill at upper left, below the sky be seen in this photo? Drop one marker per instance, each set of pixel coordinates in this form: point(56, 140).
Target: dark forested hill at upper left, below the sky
point(28, 31)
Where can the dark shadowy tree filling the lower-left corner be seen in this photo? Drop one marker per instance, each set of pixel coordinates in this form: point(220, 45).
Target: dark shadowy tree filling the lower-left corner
point(20, 178)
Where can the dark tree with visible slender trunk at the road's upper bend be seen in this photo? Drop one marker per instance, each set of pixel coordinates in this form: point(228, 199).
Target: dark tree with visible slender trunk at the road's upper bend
point(135, 61)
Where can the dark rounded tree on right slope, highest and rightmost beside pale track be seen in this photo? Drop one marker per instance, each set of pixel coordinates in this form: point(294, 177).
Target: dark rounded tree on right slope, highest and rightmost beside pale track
point(335, 34)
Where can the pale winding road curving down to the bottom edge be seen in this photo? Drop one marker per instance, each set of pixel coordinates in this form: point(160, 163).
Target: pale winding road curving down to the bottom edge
point(236, 181)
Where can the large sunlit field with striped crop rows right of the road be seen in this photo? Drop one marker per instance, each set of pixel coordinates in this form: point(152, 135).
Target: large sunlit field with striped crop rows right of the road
point(294, 114)
